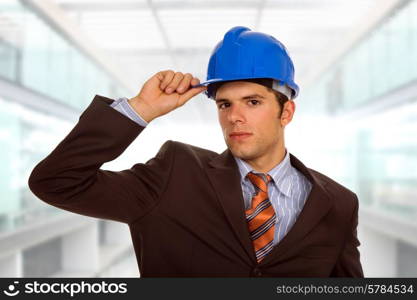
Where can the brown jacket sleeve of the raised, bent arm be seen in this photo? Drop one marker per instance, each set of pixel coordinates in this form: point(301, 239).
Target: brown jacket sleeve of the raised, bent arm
point(70, 177)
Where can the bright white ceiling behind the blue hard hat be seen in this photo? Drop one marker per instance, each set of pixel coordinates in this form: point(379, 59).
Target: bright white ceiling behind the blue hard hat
point(145, 36)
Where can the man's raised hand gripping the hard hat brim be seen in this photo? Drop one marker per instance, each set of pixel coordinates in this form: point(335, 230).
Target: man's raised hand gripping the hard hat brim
point(164, 92)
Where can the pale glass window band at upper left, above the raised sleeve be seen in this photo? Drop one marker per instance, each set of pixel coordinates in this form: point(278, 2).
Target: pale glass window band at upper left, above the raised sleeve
point(51, 65)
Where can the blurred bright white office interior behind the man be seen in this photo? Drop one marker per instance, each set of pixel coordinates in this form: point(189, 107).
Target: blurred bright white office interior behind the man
point(355, 120)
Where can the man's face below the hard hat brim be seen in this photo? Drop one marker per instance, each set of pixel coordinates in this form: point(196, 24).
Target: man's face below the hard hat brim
point(249, 116)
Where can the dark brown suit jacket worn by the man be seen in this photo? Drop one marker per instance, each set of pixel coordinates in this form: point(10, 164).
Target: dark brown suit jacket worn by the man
point(185, 208)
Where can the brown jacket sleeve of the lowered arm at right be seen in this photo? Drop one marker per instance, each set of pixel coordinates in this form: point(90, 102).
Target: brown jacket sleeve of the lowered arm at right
point(348, 264)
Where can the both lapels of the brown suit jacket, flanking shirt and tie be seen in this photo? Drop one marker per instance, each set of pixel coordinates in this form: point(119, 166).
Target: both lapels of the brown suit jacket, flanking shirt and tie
point(224, 175)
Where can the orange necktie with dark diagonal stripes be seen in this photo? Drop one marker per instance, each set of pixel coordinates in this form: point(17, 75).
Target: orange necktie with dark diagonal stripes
point(261, 216)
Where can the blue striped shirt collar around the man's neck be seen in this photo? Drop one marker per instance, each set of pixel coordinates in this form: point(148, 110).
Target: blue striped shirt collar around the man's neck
point(278, 173)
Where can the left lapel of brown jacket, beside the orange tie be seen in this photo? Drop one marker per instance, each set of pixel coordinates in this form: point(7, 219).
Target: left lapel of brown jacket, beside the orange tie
point(225, 178)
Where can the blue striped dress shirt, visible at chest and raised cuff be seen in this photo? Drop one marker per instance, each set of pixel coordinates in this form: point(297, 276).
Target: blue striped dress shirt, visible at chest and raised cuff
point(288, 190)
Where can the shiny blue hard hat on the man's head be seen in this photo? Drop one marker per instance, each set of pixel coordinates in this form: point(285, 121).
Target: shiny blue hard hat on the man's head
point(247, 54)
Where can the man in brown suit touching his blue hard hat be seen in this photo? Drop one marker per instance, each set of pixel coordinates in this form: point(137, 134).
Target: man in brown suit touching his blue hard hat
point(253, 210)
